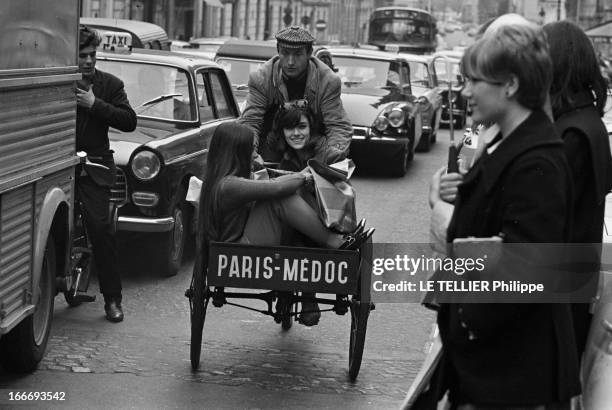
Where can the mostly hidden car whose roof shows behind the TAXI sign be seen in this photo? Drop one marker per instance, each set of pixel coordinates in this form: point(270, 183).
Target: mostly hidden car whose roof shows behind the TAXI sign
point(144, 35)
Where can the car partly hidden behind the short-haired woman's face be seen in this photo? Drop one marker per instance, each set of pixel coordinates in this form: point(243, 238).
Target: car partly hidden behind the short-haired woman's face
point(447, 65)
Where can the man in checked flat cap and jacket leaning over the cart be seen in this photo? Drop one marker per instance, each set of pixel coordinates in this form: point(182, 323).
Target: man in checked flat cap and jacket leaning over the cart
point(295, 77)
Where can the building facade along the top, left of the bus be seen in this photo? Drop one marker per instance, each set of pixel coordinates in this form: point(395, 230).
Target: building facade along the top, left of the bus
point(335, 21)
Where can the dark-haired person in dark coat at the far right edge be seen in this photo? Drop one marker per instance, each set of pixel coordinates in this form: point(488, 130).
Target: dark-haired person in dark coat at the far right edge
point(578, 96)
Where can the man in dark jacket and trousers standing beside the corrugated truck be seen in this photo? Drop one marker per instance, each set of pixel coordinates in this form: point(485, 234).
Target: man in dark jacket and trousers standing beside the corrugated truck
point(101, 103)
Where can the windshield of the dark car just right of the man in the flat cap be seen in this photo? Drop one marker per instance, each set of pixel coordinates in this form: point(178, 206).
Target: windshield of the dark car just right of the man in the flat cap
point(366, 73)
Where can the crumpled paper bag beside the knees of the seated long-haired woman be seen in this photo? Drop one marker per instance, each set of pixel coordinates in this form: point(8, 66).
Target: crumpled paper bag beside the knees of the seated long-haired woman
point(335, 195)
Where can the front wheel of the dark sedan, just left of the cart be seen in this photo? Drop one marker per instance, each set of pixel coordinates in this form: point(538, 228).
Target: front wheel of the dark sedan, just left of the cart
point(168, 254)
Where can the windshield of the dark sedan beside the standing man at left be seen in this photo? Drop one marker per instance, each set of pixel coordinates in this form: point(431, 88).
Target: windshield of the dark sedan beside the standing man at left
point(154, 91)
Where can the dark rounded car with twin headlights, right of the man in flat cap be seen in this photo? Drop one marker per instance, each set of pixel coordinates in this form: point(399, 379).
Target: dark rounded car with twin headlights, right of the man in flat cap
point(377, 95)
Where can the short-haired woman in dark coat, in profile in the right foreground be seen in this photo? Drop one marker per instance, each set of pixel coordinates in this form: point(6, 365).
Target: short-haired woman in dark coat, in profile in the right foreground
point(522, 354)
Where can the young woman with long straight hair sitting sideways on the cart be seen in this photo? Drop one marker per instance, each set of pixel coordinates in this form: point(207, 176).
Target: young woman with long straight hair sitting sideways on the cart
point(237, 208)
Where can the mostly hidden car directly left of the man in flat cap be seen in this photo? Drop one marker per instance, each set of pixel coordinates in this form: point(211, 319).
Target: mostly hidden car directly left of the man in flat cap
point(239, 58)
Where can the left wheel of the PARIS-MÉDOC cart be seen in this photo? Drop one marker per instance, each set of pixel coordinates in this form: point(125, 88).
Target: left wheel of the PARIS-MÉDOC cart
point(200, 295)
